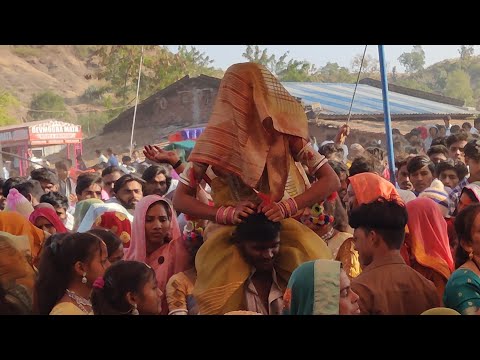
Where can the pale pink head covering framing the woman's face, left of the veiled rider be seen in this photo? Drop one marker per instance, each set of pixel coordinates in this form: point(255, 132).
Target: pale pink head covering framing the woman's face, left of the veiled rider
point(169, 259)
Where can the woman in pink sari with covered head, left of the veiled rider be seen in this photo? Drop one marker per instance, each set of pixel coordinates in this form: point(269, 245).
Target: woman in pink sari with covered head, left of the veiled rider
point(157, 241)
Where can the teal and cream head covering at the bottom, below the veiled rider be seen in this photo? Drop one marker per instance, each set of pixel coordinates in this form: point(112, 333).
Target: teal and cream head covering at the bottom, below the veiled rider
point(314, 289)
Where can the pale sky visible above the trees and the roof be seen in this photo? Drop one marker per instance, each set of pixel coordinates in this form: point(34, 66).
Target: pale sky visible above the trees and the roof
point(226, 55)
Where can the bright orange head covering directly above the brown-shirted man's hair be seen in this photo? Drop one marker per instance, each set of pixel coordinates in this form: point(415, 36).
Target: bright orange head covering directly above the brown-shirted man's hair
point(369, 187)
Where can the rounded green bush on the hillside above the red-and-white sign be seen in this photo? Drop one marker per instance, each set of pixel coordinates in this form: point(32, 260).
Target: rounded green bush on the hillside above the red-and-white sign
point(47, 105)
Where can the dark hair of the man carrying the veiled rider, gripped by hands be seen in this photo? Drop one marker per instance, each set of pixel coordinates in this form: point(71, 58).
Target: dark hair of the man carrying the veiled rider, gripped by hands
point(256, 227)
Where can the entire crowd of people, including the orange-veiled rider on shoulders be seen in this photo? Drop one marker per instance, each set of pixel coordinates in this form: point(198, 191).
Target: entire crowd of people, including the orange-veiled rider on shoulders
point(260, 220)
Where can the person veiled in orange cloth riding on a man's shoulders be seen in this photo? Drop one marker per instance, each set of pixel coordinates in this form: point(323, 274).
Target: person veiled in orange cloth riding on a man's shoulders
point(256, 136)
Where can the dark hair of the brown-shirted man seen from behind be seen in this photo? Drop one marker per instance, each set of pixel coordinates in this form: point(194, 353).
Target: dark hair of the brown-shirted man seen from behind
point(386, 217)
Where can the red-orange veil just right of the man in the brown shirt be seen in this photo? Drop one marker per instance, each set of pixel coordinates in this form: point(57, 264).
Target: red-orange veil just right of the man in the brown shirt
point(429, 236)
